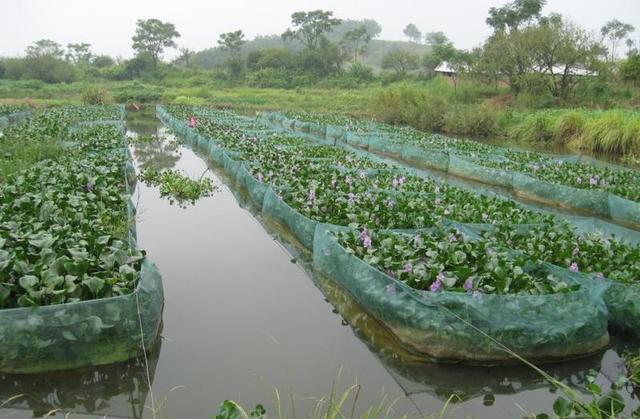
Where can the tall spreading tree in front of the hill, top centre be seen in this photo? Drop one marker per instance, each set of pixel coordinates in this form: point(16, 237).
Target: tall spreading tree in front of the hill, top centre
point(310, 27)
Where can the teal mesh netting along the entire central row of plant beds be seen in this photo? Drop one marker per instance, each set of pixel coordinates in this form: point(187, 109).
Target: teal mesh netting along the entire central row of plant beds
point(442, 325)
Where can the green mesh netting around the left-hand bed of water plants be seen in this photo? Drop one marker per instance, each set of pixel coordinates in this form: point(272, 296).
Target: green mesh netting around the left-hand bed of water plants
point(88, 332)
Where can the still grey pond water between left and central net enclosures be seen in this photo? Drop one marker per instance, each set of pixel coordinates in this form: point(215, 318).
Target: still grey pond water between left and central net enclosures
point(243, 318)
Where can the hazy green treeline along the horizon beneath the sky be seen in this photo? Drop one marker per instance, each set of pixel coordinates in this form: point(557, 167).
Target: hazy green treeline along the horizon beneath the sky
point(528, 52)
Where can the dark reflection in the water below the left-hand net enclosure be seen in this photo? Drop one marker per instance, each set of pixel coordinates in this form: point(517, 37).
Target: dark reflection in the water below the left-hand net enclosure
point(117, 390)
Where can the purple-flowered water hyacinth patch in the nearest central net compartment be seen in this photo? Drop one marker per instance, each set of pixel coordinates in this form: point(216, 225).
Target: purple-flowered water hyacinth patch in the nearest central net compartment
point(444, 259)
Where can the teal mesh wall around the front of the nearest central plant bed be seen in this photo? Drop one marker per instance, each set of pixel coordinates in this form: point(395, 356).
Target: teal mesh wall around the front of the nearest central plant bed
point(459, 327)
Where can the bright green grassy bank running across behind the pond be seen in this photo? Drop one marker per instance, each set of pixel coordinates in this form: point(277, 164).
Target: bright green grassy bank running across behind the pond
point(470, 109)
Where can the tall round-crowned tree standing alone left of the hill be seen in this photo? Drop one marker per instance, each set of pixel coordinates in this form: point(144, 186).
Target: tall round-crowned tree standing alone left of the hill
point(153, 36)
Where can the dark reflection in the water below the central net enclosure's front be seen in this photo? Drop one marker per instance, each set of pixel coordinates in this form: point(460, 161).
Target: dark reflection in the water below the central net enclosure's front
point(416, 375)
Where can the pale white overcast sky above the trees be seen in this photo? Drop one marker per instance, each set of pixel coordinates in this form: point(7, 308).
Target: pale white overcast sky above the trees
point(109, 25)
